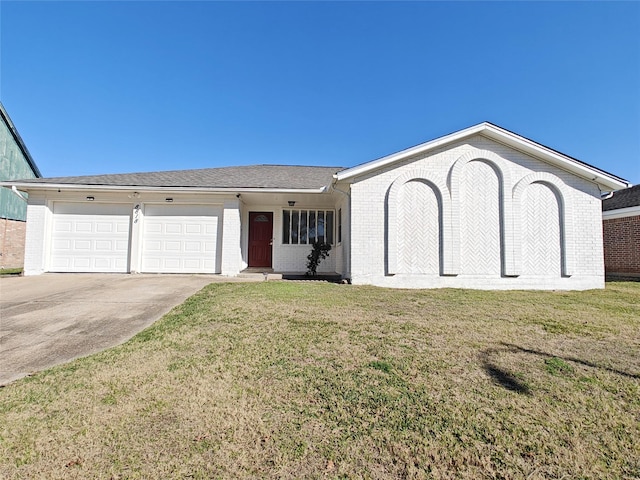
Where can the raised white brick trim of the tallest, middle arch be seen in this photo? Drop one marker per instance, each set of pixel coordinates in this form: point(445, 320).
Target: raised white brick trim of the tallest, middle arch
point(501, 167)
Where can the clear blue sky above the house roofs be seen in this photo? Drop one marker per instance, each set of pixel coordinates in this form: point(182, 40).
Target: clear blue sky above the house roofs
point(114, 87)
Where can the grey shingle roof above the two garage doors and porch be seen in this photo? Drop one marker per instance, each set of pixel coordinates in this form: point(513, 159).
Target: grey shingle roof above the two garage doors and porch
point(251, 176)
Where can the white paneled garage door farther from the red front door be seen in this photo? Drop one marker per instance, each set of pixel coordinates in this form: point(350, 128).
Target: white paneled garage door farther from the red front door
point(90, 237)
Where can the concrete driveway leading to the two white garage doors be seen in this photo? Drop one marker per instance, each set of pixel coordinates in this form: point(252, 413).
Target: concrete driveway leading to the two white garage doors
point(50, 319)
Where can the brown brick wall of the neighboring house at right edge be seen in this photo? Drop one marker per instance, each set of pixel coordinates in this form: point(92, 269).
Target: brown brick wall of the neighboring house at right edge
point(622, 245)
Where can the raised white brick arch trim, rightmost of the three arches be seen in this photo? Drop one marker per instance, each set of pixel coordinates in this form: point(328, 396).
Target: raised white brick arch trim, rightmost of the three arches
point(565, 207)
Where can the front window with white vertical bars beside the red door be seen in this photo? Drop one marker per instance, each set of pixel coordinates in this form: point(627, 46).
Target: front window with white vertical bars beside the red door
point(303, 227)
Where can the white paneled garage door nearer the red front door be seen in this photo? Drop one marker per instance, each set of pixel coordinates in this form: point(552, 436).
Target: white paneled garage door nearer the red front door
point(180, 238)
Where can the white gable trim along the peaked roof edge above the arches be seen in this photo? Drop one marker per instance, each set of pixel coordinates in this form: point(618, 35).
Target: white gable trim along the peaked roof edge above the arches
point(605, 180)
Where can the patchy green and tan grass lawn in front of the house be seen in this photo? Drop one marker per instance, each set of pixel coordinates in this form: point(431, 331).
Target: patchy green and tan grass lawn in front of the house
point(314, 380)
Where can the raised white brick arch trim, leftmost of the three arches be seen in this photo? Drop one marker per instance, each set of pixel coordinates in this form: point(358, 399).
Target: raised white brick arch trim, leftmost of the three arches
point(441, 191)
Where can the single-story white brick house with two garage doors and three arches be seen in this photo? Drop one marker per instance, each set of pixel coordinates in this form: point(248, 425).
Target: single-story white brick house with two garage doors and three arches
point(480, 208)
